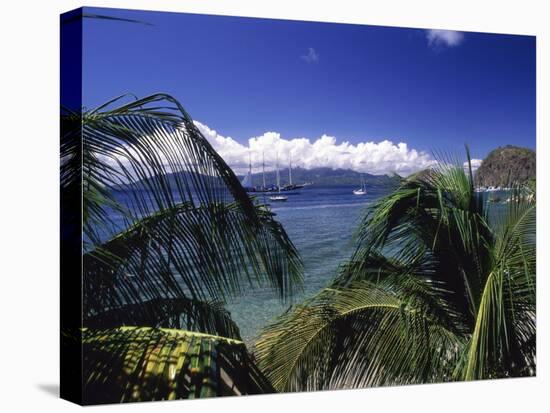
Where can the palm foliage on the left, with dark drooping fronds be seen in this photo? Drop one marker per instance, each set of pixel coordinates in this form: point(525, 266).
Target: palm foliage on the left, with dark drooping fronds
point(169, 235)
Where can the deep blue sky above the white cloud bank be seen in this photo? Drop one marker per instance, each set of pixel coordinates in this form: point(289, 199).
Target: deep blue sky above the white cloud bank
point(243, 77)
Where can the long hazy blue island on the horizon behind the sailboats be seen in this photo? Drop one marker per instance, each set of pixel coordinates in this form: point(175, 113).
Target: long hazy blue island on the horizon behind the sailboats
point(326, 177)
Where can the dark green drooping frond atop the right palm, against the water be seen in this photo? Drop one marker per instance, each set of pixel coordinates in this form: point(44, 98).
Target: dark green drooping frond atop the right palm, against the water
point(421, 226)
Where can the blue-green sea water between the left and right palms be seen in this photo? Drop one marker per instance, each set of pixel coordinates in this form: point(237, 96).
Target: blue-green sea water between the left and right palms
point(321, 222)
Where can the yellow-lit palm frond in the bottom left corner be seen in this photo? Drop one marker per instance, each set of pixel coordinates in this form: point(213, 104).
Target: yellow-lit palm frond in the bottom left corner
point(129, 364)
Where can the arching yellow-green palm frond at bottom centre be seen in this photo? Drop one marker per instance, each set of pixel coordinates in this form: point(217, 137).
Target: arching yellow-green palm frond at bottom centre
point(362, 335)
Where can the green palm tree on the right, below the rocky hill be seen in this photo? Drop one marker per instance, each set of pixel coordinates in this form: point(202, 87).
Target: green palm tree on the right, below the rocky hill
point(440, 288)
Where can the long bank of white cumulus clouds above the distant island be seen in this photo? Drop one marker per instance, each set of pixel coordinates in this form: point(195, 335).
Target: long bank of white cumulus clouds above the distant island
point(377, 158)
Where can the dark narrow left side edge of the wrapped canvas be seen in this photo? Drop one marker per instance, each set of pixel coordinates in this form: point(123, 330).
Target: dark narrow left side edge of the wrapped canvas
point(71, 211)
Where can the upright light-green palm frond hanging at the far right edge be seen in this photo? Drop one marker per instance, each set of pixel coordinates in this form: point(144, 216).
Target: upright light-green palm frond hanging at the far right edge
point(502, 343)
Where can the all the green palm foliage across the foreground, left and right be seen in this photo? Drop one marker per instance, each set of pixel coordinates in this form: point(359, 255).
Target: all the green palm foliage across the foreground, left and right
point(441, 286)
